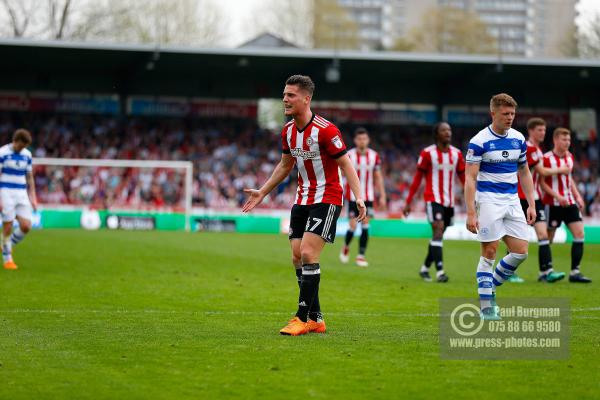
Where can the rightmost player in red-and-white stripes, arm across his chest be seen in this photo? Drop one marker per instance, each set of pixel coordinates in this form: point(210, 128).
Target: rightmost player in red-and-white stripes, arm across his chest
point(563, 201)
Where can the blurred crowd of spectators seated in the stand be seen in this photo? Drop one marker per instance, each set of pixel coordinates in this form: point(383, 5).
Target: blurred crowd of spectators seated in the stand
point(228, 155)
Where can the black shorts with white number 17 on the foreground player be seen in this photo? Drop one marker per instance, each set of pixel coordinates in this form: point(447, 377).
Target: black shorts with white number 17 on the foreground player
point(320, 219)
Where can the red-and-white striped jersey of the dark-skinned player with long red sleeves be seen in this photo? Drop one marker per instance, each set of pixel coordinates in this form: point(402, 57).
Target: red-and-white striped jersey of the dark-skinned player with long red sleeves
point(440, 168)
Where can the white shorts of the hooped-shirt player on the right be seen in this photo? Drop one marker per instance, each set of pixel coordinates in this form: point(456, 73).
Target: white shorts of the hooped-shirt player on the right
point(499, 220)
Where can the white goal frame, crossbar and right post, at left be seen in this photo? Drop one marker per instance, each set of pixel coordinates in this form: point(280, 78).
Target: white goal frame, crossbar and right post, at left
point(187, 166)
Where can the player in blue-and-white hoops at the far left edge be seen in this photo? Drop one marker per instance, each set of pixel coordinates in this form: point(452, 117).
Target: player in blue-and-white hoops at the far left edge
point(17, 193)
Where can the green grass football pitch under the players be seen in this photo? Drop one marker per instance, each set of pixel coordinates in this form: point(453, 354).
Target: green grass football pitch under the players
point(138, 315)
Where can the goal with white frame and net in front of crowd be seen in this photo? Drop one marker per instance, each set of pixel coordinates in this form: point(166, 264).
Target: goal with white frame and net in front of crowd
point(115, 185)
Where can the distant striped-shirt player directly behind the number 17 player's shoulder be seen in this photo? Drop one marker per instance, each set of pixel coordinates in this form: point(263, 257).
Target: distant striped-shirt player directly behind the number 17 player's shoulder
point(367, 164)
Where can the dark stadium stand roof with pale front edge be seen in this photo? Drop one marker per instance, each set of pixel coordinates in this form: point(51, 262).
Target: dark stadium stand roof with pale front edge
point(251, 73)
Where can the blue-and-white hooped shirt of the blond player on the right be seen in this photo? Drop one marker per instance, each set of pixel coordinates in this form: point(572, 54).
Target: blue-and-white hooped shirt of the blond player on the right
point(499, 158)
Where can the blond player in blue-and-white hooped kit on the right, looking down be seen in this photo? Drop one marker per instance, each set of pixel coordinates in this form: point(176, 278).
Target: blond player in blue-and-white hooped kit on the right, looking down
point(496, 161)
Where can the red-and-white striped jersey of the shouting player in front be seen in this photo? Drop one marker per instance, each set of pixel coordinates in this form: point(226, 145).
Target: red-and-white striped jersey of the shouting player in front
point(316, 148)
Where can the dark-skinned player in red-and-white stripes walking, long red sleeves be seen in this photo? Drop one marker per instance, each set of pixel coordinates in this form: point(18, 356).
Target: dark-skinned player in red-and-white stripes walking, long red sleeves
point(439, 163)
